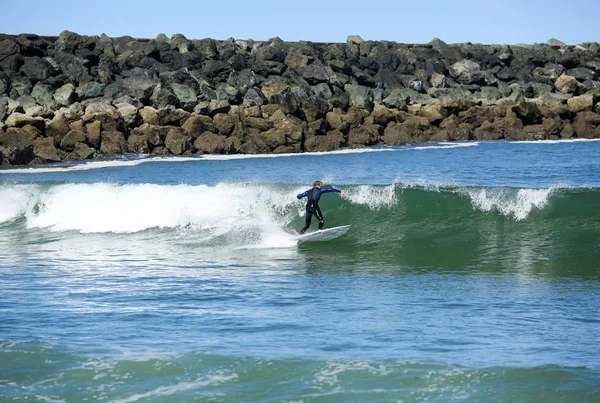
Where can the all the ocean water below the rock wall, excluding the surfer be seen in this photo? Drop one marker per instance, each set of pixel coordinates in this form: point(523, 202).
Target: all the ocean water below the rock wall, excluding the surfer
point(471, 273)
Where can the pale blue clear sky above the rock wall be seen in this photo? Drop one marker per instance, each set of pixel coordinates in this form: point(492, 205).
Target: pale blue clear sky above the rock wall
point(482, 21)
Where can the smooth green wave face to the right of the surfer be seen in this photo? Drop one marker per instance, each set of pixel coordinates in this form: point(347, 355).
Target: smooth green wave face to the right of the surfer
point(483, 229)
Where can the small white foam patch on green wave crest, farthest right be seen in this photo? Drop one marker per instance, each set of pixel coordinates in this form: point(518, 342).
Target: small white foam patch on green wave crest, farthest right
point(517, 203)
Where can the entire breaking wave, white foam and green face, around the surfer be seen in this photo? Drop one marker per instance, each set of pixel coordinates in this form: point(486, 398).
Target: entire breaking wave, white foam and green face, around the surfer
point(455, 228)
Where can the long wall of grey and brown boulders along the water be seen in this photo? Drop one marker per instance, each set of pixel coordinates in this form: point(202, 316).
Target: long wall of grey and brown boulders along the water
point(75, 97)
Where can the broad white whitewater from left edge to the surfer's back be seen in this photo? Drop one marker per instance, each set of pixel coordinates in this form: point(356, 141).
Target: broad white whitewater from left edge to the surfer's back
point(240, 215)
